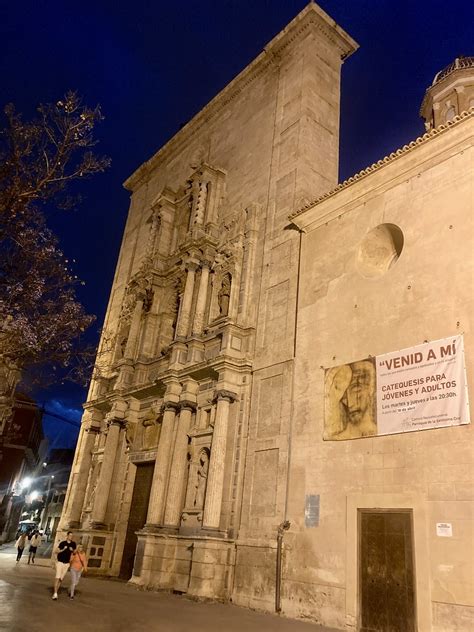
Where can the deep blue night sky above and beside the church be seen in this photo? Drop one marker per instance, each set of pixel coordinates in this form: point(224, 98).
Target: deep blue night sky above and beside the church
point(153, 65)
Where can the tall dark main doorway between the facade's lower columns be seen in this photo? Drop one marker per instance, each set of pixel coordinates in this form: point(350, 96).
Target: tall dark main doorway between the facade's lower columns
point(137, 518)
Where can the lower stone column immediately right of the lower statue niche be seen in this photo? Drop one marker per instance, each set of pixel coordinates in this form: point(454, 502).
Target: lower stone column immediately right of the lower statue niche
point(215, 481)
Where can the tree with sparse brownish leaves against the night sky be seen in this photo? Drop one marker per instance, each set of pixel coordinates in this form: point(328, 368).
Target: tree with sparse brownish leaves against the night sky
point(41, 319)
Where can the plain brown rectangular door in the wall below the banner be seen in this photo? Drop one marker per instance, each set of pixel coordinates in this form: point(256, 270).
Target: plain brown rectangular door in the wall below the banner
point(386, 579)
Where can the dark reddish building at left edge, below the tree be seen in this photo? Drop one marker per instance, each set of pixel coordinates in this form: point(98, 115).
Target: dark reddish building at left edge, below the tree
point(22, 447)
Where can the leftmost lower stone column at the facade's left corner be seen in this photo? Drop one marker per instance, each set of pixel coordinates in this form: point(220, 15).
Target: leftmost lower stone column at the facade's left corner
point(78, 481)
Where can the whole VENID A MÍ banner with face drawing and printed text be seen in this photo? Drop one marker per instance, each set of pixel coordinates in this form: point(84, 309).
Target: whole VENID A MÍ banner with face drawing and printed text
point(418, 388)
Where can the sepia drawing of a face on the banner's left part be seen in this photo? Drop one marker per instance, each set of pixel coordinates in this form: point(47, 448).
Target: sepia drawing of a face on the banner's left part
point(350, 401)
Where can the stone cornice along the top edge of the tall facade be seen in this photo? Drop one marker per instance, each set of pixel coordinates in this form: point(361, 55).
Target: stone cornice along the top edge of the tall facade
point(311, 16)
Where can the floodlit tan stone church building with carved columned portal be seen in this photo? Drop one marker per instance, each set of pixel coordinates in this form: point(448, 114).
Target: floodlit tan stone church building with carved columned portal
point(202, 466)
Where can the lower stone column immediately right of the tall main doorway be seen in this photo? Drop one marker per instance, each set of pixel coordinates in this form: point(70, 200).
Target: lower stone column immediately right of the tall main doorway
point(163, 456)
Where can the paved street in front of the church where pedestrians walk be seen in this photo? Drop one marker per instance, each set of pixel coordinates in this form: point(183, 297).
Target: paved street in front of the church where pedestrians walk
point(108, 605)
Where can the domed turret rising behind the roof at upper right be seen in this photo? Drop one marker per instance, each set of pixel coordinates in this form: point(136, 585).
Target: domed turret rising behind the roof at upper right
point(451, 93)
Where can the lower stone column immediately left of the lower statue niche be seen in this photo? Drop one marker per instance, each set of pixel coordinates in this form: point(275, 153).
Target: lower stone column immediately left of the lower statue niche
point(174, 500)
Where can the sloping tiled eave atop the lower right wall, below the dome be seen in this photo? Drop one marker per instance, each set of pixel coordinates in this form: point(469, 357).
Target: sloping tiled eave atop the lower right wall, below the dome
point(428, 136)
